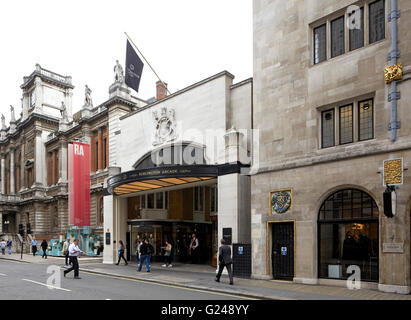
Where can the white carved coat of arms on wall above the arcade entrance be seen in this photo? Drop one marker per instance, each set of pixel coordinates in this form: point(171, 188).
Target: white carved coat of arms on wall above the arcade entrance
point(165, 126)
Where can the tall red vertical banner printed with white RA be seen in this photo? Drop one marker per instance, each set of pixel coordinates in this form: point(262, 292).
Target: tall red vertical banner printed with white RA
point(79, 184)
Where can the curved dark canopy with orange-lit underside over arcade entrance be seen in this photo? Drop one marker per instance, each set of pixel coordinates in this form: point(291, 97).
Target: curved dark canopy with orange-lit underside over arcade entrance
point(157, 178)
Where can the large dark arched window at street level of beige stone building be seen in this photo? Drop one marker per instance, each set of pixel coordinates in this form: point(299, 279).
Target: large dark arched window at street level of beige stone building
point(348, 235)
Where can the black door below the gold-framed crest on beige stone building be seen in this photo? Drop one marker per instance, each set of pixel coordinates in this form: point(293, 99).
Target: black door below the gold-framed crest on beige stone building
point(283, 250)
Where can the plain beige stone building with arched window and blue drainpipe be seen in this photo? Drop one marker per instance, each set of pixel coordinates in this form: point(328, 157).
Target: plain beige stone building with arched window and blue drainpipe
point(328, 118)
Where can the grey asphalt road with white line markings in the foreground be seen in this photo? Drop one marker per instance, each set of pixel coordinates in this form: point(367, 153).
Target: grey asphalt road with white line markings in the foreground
point(41, 282)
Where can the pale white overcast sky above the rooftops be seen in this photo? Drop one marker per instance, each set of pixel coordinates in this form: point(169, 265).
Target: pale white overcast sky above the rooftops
point(185, 41)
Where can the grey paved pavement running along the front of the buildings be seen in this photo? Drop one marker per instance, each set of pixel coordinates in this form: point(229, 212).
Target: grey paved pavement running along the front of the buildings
point(201, 277)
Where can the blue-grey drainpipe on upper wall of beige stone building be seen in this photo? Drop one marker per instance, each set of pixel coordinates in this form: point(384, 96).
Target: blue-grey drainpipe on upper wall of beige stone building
point(394, 54)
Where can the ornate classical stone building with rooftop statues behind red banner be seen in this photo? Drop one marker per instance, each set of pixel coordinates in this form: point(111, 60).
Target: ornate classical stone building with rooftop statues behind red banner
point(34, 160)
